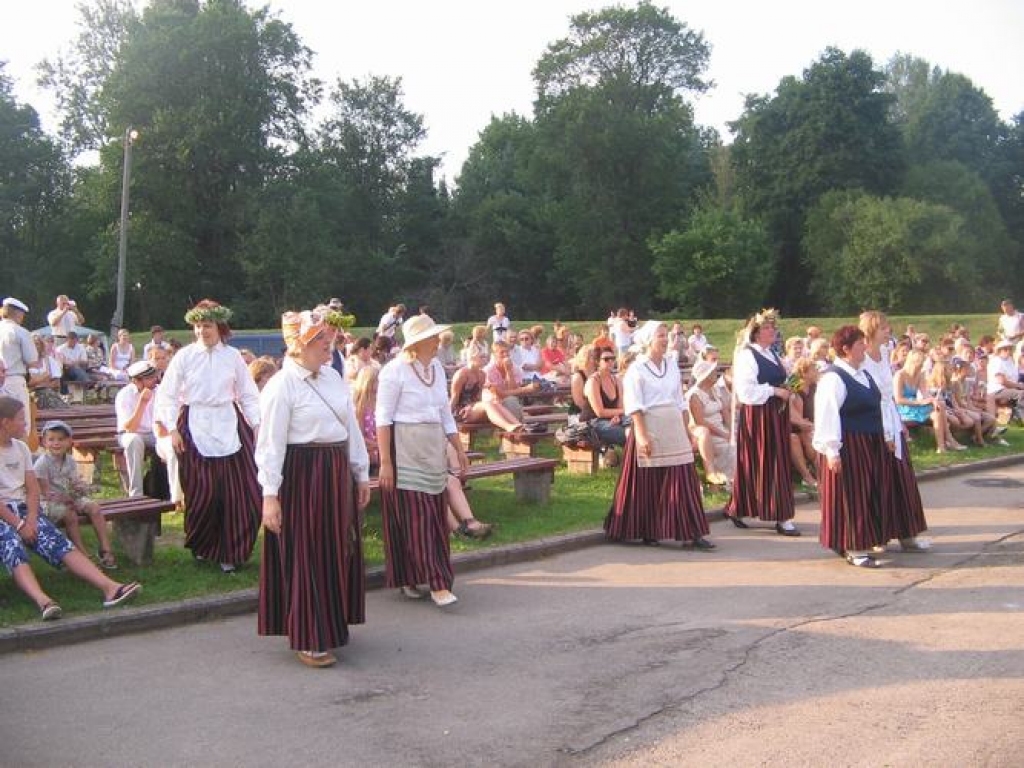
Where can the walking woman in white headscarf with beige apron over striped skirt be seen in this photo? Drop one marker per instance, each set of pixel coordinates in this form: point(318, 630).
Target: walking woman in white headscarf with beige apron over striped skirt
point(659, 494)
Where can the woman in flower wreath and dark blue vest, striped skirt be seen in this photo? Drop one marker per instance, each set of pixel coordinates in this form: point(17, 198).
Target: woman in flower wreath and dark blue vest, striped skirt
point(763, 487)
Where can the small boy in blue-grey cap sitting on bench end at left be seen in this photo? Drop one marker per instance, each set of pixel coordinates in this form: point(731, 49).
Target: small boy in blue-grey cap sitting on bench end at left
point(65, 495)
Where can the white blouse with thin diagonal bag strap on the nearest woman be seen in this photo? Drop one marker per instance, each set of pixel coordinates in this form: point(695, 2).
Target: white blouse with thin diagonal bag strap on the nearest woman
point(293, 414)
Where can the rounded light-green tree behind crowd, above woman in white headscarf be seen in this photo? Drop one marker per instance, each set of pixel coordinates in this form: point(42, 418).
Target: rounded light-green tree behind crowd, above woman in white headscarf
point(720, 266)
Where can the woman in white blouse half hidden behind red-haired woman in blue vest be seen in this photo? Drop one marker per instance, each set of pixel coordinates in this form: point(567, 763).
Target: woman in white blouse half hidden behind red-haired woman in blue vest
point(905, 515)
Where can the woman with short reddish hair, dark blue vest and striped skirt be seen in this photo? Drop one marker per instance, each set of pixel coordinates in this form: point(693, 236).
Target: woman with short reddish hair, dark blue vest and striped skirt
point(854, 463)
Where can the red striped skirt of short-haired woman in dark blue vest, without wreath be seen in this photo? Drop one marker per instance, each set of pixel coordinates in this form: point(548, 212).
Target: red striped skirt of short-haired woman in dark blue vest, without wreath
point(852, 499)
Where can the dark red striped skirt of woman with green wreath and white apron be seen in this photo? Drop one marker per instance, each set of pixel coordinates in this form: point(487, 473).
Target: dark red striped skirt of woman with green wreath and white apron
point(223, 498)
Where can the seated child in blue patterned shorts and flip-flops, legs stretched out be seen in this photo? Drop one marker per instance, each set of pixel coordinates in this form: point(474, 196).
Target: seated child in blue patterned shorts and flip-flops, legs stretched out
point(23, 529)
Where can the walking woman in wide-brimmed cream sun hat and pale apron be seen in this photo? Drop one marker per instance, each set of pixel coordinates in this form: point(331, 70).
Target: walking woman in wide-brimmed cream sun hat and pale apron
point(414, 422)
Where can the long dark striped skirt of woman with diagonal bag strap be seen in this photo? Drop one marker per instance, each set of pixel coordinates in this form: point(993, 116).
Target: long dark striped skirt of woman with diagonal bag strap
point(313, 583)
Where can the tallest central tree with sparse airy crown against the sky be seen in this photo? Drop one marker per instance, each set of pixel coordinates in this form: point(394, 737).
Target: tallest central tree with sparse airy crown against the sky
point(618, 157)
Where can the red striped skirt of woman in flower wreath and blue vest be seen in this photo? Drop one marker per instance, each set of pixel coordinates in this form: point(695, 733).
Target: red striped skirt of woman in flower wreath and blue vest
point(763, 487)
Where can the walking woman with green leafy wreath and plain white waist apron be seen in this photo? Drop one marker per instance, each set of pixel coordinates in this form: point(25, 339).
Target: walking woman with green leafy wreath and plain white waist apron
point(209, 397)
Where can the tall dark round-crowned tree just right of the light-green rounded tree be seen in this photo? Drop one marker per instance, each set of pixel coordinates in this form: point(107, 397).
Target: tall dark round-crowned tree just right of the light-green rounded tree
point(830, 131)
